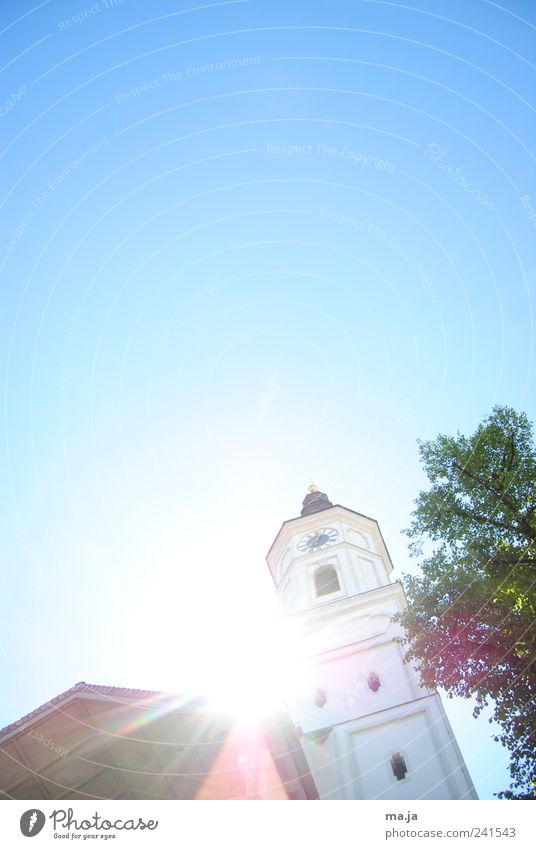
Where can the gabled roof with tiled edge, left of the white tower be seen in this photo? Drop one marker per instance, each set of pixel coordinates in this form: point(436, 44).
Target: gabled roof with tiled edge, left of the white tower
point(102, 742)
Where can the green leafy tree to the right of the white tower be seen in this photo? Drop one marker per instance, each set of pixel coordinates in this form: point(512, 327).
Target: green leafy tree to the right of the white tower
point(471, 619)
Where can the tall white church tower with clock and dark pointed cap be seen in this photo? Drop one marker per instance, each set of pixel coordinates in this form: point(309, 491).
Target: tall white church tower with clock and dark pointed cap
point(370, 731)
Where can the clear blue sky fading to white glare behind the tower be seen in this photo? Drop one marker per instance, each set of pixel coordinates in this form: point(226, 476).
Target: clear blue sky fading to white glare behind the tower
point(244, 244)
